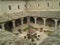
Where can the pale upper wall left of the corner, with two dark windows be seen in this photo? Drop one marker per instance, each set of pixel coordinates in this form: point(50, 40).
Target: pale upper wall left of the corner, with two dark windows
point(4, 6)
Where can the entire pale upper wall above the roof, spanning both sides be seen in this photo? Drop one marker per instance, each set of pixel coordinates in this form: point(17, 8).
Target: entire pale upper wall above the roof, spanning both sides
point(29, 6)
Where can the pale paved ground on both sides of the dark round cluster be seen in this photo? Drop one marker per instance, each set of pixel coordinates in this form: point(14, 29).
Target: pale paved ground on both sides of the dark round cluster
point(42, 36)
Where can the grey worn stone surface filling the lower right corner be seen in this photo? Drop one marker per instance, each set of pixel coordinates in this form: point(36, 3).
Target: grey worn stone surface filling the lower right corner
point(54, 39)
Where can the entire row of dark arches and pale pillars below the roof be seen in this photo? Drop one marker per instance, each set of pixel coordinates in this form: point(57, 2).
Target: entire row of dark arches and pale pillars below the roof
point(11, 24)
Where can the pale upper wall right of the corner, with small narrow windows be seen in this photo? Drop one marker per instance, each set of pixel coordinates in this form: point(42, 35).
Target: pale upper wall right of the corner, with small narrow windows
point(43, 5)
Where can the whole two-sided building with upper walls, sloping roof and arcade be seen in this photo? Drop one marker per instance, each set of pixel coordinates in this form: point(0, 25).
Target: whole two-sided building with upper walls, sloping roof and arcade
point(16, 14)
